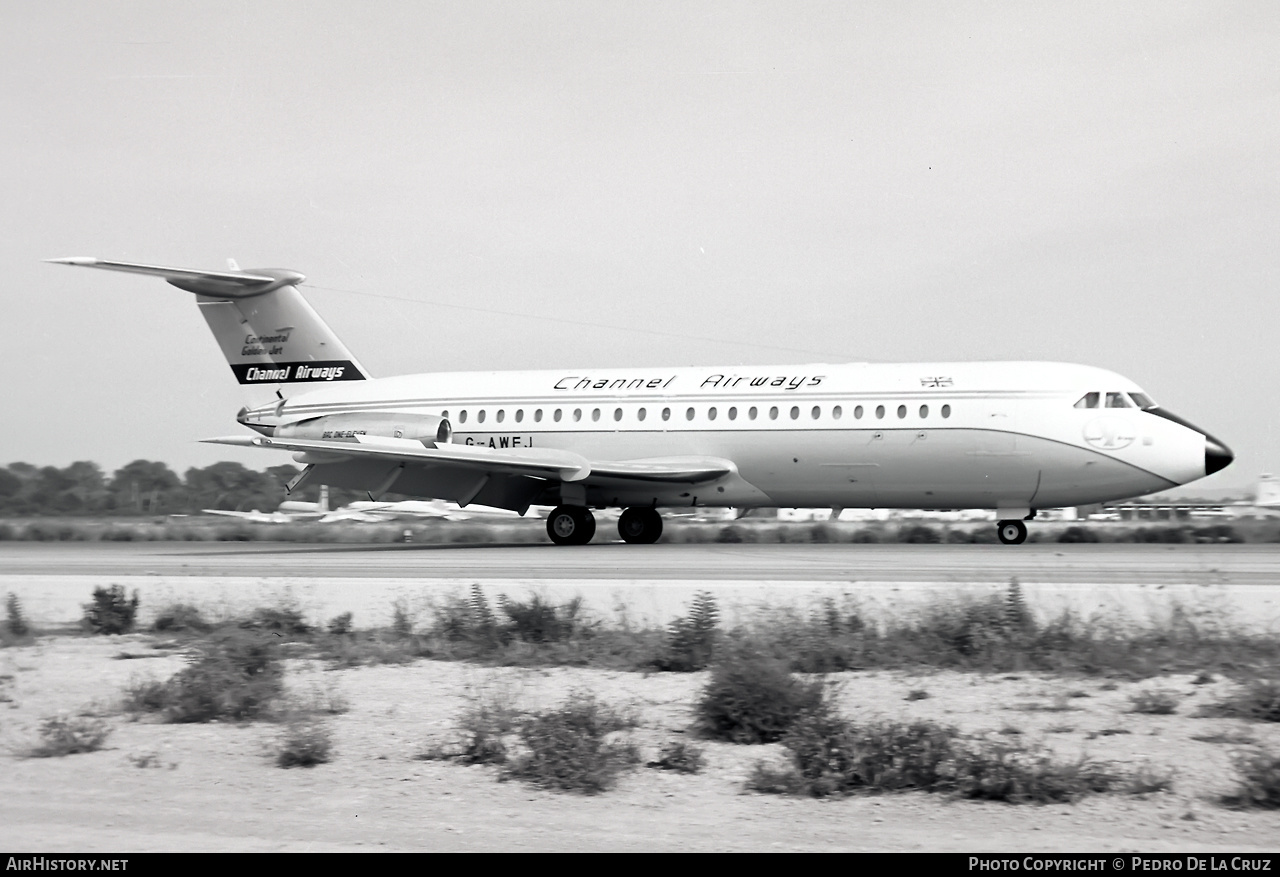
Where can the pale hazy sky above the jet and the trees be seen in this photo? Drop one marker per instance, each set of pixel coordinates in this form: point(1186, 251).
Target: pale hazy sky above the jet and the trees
point(477, 186)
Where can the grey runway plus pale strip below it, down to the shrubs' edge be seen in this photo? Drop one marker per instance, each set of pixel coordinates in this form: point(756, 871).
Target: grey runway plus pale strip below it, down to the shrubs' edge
point(653, 583)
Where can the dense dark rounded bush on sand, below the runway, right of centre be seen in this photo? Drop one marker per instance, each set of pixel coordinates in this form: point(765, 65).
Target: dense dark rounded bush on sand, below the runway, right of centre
point(753, 698)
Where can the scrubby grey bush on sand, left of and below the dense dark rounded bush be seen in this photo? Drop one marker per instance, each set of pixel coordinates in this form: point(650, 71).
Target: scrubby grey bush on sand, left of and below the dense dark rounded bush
point(569, 750)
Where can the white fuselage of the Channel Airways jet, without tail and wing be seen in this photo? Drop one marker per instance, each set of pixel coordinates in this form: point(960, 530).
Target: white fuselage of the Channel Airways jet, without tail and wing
point(1004, 436)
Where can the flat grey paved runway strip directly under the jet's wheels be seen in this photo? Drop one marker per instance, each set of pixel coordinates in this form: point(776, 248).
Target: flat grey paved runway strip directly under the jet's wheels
point(1127, 564)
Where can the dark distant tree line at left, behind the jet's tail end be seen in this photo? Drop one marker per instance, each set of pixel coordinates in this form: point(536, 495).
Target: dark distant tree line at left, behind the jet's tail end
point(147, 487)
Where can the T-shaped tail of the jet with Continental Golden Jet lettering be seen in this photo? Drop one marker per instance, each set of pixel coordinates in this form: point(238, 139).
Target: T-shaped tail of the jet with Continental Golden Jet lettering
point(267, 330)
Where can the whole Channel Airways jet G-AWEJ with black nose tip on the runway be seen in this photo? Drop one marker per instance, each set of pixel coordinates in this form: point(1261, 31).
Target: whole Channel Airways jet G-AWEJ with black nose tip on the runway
point(1011, 437)
